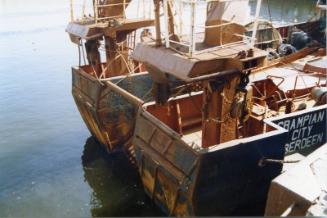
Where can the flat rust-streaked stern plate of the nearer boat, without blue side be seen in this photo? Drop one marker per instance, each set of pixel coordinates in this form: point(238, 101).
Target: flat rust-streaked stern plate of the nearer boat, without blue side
point(167, 165)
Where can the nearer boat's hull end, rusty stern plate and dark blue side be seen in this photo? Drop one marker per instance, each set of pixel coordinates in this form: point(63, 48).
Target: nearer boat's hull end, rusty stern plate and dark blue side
point(221, 180)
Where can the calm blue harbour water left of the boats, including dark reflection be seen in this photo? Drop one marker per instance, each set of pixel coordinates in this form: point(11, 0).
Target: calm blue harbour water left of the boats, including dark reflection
point(49, 165)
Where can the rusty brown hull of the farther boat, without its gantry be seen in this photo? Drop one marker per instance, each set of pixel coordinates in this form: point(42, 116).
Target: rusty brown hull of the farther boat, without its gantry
point(108, 116)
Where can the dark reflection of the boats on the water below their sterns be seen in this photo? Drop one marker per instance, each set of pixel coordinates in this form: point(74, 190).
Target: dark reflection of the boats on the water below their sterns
point(117, 188)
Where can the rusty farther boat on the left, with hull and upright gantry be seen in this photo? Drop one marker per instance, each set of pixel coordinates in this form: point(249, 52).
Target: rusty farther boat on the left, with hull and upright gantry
point(105, 41)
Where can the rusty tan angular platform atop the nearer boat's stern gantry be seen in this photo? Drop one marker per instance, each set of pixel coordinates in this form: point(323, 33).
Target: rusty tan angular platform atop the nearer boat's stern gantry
point(201, 63)
